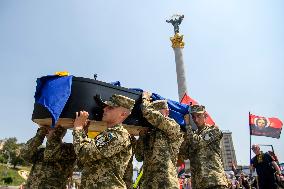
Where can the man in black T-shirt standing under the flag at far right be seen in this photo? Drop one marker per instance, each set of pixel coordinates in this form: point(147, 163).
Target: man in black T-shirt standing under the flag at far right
point(265, 168)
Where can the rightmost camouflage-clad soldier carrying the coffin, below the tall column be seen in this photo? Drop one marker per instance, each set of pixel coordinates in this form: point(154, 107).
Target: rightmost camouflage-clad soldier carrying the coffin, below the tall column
point(202, 148)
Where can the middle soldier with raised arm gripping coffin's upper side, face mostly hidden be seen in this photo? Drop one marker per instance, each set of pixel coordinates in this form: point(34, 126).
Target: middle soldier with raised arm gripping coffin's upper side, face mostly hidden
point(158, 149)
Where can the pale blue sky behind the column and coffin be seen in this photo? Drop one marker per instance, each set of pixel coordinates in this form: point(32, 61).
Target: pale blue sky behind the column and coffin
point(233, 56)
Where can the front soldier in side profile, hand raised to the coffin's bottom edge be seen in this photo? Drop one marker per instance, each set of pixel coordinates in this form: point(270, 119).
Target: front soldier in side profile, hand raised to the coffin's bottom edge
point(105, 158)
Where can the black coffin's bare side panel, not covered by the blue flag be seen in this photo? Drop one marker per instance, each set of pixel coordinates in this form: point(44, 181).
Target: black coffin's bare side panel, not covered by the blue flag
point(82, 96)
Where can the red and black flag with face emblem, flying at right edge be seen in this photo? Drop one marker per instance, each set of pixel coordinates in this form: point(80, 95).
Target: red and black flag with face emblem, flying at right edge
point(262, 126)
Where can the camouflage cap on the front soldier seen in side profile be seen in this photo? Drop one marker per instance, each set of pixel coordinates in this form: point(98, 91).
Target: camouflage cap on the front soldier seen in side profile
point(120, 100)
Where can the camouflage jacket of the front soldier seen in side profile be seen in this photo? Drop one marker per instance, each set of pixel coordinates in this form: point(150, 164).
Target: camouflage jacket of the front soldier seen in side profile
point(104, 158)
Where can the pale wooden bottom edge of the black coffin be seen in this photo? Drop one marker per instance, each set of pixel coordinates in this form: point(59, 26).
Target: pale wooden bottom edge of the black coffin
point(96, 126)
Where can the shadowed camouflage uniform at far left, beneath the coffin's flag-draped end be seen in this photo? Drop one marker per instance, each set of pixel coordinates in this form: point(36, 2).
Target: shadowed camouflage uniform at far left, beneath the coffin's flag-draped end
point(51, 165)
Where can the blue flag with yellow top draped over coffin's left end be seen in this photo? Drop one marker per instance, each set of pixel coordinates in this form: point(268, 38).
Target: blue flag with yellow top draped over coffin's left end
point(52, 92)
